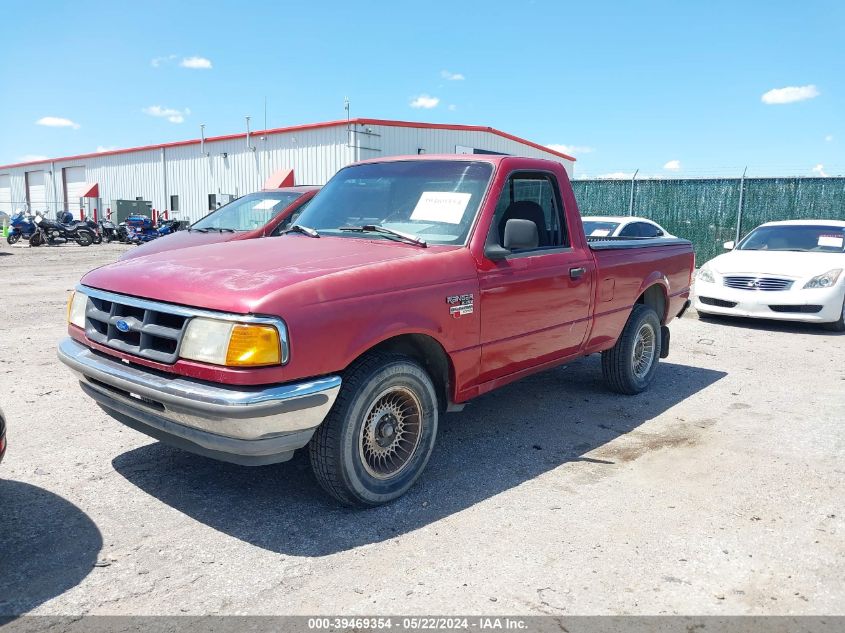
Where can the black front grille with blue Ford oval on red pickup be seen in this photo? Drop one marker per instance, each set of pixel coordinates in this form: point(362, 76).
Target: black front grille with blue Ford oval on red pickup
point(150, 333)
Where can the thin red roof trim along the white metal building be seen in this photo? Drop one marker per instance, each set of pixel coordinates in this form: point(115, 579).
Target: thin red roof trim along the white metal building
point(298, 128)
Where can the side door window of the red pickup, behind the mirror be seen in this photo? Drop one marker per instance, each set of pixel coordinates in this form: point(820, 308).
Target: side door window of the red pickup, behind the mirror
point(531, 196)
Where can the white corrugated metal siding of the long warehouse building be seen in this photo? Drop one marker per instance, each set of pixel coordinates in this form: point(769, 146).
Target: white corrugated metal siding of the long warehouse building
point(314, 155)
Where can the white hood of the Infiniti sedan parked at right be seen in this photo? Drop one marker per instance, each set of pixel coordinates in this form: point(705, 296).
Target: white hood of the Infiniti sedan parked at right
point(781, 263)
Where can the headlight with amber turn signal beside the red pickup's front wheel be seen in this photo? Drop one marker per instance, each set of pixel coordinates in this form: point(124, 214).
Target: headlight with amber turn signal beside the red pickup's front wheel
point(232, 344)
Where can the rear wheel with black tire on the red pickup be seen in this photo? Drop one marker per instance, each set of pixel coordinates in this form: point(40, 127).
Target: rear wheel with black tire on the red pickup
point(623, 372)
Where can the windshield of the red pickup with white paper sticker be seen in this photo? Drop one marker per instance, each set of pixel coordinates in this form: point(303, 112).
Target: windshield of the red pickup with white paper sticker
point(435, 200)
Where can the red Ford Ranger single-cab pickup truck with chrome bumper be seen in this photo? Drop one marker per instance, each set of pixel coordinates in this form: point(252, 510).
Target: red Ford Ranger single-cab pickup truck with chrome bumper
point(406, 288)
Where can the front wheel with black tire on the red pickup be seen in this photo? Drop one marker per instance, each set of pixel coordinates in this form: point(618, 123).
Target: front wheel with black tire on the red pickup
point(339, 449)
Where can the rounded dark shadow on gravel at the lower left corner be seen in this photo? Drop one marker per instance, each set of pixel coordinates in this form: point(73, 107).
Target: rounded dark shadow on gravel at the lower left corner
point(47, 546)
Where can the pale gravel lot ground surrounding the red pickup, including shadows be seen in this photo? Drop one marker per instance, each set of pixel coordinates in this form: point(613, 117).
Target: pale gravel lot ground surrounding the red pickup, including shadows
point(719, 491)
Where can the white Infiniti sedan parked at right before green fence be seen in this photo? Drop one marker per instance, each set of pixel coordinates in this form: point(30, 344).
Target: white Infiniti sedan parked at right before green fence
point(791, 271)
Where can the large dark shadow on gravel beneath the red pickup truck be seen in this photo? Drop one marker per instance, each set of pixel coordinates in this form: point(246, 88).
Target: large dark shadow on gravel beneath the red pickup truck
point(498, 442)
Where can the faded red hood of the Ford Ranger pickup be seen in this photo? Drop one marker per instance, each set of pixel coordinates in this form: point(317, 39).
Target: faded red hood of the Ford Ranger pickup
point(247, 276)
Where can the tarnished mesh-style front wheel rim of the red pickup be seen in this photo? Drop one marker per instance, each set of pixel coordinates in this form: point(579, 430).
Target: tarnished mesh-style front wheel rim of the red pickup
point(391, 432)
